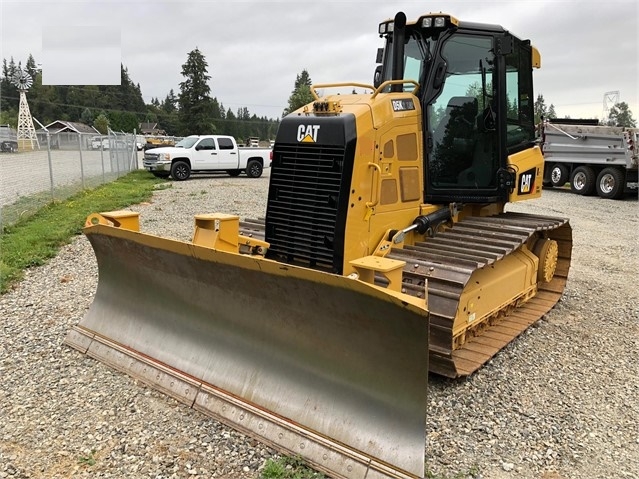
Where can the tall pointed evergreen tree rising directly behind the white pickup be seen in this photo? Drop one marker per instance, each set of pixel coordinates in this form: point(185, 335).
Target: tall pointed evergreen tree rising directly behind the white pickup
point(194, 100)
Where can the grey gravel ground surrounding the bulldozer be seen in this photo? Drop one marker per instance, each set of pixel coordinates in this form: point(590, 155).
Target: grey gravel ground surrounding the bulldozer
point(558, 403)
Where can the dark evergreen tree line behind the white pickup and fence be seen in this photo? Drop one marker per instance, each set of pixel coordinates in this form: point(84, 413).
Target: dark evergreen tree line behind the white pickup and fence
point(121, 107)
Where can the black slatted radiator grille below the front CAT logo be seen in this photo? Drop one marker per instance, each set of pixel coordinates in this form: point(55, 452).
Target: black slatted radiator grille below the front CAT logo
point(303, 213)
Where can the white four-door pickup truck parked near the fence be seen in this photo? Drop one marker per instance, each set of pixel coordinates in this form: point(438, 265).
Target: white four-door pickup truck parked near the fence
point(206, 154)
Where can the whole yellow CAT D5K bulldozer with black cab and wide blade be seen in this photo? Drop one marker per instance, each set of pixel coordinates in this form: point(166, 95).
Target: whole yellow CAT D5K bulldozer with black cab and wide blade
point(385, 253)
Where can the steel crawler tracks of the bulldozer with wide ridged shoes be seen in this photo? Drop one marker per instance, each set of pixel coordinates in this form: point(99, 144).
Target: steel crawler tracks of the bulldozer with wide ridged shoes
point(446, 263)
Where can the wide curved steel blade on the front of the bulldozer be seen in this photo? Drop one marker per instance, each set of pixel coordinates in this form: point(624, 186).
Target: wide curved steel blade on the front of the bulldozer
point(314, 364)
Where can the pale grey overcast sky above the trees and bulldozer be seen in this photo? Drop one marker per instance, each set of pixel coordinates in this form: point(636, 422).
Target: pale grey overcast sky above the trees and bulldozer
point(255, 49)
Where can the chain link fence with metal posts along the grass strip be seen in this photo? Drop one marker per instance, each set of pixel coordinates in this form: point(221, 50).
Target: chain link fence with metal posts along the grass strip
point(65, 164)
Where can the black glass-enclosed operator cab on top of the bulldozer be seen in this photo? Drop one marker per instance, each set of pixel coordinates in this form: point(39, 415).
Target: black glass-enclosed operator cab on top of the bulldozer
point(476, 94)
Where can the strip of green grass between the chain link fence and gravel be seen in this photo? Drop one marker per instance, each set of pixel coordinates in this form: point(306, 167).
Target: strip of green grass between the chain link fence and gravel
point(33, 240)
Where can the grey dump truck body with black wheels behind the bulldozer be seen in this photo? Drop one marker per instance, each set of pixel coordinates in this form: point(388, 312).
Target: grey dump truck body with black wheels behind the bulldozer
point(593, 158)
